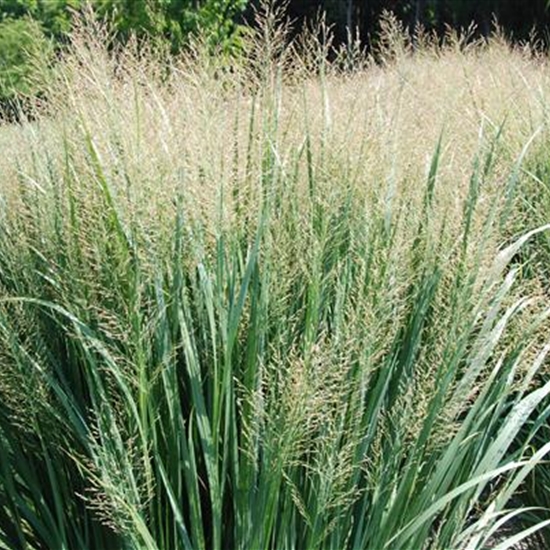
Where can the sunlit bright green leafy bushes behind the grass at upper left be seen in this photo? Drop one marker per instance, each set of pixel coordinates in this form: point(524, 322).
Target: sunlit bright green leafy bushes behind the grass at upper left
point(31, 32)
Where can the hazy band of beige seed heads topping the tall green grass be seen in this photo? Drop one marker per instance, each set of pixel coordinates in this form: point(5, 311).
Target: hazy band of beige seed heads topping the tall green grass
point(378, 127)
